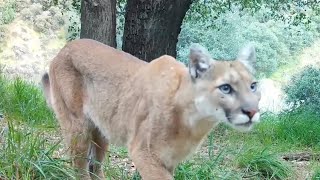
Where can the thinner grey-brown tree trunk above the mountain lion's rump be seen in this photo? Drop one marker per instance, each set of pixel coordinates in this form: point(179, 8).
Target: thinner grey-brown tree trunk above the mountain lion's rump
point(98, 21)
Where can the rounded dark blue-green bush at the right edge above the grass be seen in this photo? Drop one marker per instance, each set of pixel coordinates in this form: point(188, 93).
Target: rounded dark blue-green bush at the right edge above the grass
point(304, 89)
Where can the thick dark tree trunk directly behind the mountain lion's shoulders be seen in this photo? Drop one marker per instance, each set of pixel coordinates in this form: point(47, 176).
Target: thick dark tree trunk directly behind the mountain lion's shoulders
point(152, 27)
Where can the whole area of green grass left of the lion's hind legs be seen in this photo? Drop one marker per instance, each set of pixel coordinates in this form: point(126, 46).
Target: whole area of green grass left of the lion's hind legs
point(26, 151)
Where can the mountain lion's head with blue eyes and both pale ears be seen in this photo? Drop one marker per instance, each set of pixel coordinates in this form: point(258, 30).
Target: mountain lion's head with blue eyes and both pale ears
point(226, 90)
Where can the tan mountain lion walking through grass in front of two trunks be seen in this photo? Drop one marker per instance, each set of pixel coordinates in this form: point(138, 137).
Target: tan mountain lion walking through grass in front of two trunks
point(159, 110)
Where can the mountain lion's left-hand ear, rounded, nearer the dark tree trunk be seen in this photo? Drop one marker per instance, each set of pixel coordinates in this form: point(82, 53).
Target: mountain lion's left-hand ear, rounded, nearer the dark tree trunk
point(199, 61)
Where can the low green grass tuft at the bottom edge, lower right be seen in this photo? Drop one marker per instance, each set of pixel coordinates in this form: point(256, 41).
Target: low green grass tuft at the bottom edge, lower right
point(263, 164)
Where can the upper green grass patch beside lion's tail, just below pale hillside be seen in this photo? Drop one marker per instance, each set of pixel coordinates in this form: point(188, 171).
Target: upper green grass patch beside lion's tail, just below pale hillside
point(24, 102)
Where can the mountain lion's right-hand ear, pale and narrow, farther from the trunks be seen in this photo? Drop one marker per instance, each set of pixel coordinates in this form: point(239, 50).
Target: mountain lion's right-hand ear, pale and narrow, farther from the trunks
point(247, 56)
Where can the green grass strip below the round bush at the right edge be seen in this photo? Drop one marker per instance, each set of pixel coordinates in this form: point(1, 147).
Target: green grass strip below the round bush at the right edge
point(296, 130)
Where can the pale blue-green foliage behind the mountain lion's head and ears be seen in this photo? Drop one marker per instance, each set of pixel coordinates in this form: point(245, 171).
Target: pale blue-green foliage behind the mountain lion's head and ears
point(276, 41)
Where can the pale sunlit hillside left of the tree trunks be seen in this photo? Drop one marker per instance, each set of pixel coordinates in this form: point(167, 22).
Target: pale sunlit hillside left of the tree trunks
point(35, 32)
